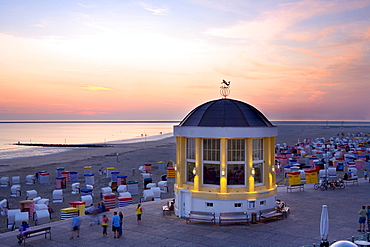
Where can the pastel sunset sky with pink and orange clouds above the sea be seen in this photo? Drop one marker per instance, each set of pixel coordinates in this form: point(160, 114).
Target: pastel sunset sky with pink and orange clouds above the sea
point(157, 60)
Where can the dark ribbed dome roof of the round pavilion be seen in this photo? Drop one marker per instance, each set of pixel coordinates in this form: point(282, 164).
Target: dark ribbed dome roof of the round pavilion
point(225, 113)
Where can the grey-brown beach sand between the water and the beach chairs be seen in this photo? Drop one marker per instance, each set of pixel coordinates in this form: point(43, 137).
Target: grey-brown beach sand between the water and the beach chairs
point(130, 156)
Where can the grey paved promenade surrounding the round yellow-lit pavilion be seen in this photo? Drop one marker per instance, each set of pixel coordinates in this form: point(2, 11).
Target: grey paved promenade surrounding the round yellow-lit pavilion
point(299, 229)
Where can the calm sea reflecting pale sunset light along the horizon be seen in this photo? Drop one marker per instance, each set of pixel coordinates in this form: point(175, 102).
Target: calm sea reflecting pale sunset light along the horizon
point(99, 132)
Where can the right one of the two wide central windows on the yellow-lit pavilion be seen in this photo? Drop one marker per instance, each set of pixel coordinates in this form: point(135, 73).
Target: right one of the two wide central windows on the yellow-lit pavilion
point(236, 162)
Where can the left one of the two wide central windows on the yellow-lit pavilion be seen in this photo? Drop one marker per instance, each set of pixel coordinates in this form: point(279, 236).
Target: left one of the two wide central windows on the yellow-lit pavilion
point(211, 161)
